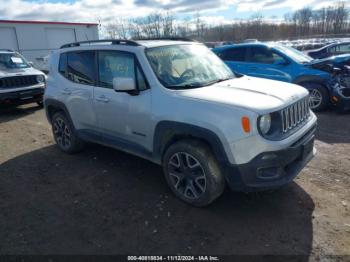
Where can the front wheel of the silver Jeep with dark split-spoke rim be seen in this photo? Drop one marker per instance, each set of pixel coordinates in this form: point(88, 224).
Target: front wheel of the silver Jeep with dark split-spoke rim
point(193, 173)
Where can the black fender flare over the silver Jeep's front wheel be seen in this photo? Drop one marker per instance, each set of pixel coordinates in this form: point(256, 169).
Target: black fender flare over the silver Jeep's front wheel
point(168, 132)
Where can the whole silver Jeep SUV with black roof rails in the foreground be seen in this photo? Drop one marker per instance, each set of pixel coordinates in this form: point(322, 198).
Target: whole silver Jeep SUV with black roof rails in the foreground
point(177, 104)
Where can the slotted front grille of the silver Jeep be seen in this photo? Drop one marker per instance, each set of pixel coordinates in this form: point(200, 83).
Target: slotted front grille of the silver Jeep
point(295, 114)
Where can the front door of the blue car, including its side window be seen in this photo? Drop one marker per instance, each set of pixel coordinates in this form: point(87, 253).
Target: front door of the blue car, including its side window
point(265, 62)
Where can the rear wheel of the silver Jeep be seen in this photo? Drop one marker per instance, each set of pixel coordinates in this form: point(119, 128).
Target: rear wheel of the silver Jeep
point(64, 134)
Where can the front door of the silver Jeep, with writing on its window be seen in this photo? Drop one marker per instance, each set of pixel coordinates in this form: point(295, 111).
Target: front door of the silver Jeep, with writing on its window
point(123, 118)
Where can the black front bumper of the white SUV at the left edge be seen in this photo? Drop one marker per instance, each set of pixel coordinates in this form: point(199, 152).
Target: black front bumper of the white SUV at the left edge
point(16, 98)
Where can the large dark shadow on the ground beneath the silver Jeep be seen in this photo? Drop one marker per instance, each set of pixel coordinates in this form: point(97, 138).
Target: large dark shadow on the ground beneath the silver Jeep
point(102, 201)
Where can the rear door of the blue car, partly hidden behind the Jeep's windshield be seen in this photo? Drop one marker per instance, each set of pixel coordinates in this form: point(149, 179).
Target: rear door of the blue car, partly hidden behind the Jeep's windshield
point(235, 58)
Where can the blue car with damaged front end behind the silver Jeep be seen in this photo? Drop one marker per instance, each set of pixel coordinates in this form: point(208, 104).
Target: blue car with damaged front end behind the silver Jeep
point(278, 62)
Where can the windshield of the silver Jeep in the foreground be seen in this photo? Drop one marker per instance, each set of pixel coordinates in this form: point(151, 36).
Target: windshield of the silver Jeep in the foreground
point(187, 66)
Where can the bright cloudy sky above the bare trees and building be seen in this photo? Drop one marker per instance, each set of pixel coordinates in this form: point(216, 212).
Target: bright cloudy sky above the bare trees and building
point(107, 11)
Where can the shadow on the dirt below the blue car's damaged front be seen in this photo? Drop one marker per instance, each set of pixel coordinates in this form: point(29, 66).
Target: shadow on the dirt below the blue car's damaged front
point(328, 129)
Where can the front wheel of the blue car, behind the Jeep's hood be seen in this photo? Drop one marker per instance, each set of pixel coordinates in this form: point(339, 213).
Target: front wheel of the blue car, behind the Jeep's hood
point(319, 97)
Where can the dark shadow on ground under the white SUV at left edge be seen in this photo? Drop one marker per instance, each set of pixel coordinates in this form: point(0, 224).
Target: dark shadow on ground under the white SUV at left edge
point(14, 113)
